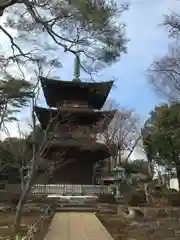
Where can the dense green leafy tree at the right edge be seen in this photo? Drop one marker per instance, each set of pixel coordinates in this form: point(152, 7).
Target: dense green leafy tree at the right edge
point(162, 143)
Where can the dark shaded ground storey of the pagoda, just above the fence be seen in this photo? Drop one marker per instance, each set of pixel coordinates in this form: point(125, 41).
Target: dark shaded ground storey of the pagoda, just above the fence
point(68, 171)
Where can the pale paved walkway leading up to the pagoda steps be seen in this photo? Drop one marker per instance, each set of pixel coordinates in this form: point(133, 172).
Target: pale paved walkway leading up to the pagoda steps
point(77, 226)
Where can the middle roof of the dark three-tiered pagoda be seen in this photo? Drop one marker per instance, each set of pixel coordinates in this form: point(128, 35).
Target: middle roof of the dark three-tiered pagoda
point(75, 115)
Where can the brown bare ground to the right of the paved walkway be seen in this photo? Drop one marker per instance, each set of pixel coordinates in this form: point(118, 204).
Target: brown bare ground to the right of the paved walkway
point(149, 227)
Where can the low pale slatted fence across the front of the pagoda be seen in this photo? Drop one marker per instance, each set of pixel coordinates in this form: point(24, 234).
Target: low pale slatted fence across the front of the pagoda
point(67, 190)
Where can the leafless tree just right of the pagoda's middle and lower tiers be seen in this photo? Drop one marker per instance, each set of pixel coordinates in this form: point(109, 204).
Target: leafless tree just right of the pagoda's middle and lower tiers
point(124, 134)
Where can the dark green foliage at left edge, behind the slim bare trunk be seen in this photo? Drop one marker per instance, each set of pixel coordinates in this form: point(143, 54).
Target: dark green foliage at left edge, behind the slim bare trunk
point(16, 154)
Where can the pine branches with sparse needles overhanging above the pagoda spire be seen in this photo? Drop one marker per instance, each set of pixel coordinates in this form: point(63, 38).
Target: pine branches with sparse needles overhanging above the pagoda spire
point(91, 28)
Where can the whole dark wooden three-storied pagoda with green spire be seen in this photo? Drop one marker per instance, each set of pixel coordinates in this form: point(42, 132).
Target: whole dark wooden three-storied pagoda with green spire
point(72, 123)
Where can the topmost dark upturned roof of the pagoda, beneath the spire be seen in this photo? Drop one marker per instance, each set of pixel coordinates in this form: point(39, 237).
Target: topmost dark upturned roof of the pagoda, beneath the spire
point(94, 93)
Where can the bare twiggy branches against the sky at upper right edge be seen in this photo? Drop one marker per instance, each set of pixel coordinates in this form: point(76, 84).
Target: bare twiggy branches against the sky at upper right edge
point(164, 73)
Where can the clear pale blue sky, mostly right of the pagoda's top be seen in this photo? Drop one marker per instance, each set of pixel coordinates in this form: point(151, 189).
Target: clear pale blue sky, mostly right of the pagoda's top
point(147, 42)
